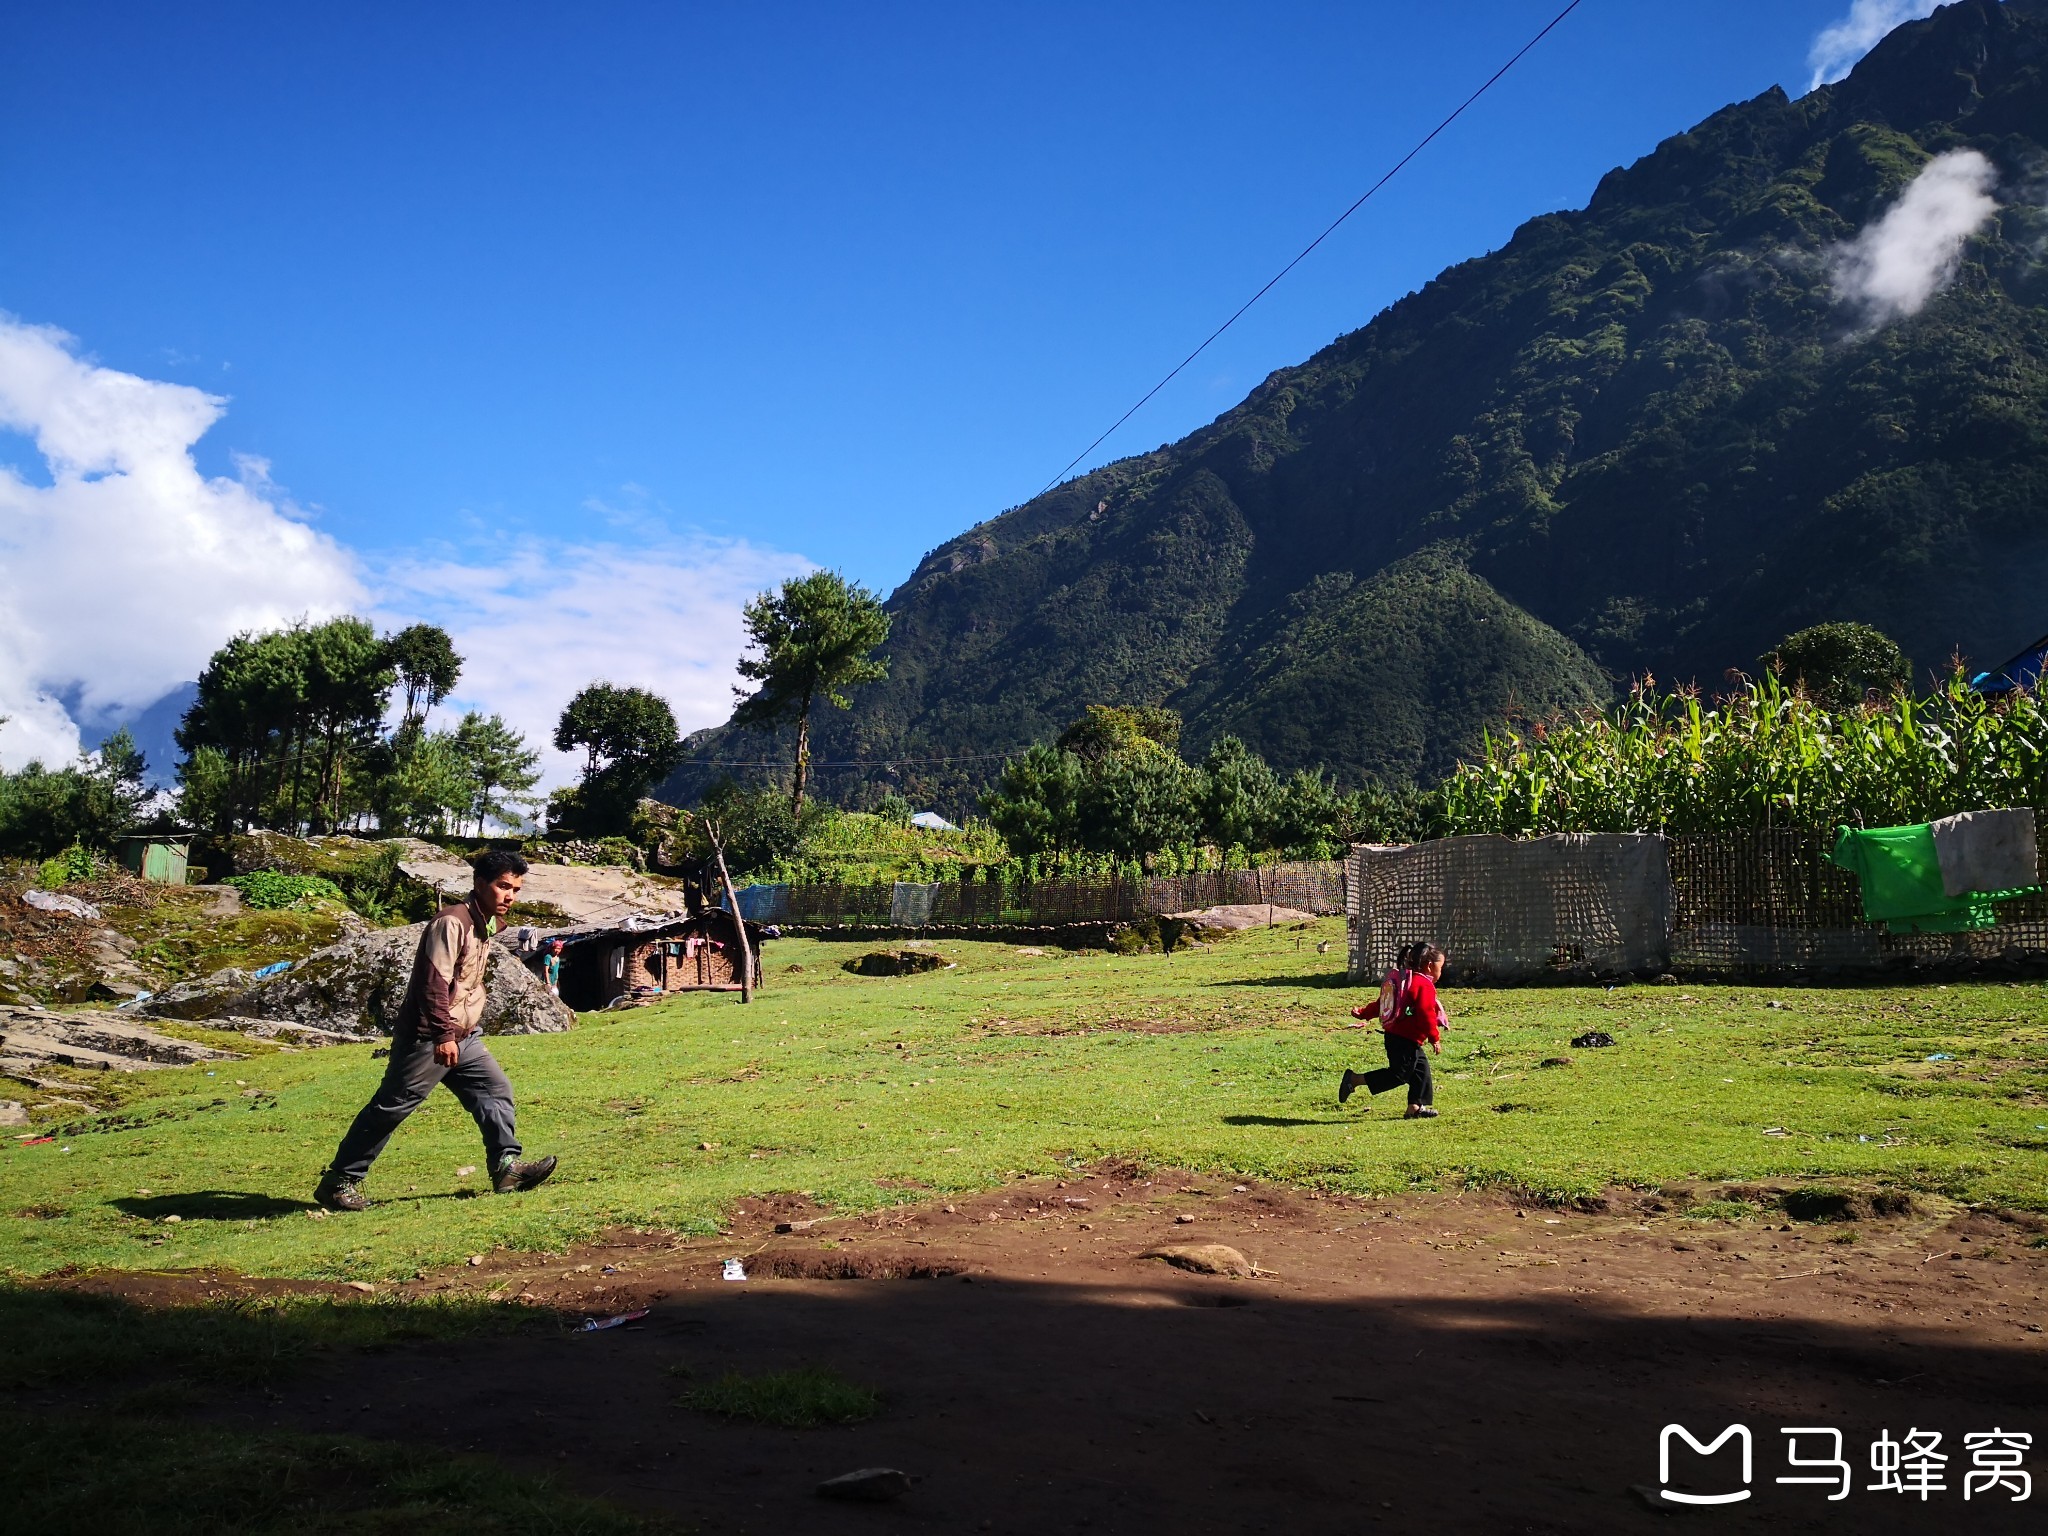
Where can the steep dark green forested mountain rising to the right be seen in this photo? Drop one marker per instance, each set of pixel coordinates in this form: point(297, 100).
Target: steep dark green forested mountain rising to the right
point(1648, 435)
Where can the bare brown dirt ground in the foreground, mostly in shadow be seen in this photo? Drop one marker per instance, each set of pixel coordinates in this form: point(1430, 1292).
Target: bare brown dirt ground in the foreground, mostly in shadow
point(1451, 1359)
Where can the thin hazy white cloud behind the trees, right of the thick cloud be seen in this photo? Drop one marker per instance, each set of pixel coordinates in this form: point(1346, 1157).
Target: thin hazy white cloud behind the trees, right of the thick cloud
point(536, 622)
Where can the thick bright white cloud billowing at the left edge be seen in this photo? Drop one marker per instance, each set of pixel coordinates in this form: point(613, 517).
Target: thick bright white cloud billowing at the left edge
point(122, 577)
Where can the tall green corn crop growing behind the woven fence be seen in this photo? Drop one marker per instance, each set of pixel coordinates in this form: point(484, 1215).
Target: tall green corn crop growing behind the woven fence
point(1762, 759)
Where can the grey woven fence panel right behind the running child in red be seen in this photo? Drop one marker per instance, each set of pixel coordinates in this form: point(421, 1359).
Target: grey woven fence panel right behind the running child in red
point(1566, 906)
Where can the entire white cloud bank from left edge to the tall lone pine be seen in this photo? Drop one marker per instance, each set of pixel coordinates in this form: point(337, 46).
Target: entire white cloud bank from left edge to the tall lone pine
point(130, 568)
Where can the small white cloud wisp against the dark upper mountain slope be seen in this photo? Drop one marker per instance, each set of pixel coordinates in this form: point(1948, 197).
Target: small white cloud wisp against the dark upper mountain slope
point(1914, 249)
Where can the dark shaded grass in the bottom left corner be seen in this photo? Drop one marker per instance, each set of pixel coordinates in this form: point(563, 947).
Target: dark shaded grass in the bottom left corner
point(122, 1455)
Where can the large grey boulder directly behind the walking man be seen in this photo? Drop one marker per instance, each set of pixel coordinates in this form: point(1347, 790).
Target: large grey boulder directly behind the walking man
point(357, 988)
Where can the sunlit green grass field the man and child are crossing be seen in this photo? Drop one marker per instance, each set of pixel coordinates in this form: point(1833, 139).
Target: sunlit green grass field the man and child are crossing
point(867, 1093)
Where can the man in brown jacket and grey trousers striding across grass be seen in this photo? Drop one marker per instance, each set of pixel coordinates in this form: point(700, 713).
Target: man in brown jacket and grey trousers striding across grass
point(439, 1039)
